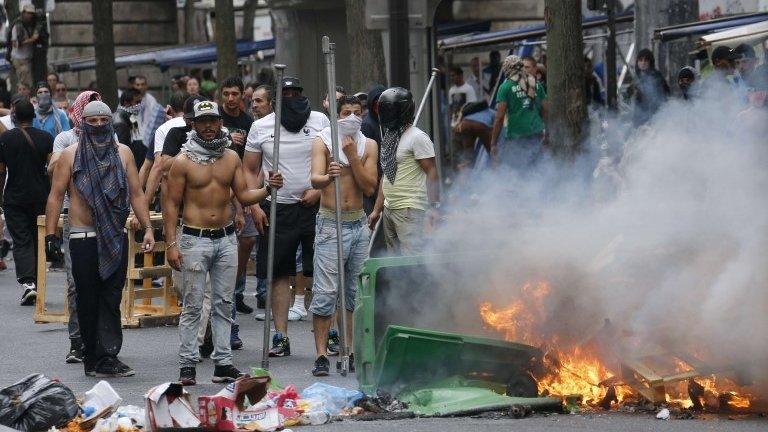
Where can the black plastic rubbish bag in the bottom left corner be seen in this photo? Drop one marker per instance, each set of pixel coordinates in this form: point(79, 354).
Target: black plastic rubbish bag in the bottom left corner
point(36, 403)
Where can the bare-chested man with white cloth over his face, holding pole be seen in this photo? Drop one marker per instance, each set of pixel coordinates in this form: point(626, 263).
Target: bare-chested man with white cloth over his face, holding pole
point(356, 169)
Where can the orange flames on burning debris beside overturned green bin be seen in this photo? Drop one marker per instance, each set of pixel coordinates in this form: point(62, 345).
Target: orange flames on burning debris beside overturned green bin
point(574, 371)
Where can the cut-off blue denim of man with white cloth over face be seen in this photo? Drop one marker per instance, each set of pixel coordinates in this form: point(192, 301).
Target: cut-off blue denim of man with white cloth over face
point(325, 285)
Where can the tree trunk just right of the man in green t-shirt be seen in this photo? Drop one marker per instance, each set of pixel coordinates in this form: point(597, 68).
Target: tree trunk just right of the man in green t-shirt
point(566, 110)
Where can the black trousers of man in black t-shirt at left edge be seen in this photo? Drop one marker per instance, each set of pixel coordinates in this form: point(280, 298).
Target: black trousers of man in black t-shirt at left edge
point(22, 225)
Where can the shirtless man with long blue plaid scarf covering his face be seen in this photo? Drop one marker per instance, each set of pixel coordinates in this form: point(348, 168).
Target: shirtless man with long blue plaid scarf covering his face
point(101, 179)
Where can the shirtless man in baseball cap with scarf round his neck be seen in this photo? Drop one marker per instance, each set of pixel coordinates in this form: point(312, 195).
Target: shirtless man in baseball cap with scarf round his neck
point(201, 177)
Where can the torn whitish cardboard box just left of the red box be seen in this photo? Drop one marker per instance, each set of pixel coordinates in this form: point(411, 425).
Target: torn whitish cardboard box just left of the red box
point(168, 406)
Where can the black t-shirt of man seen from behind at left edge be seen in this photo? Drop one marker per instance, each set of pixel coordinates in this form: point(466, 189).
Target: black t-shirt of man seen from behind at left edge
point(27, 179)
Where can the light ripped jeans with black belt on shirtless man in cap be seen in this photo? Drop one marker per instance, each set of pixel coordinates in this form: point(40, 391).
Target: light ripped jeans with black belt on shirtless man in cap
point(202, 257)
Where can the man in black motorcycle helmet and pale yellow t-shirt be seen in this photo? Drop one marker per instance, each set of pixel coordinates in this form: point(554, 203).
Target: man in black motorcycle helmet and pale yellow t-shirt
point(409, 198)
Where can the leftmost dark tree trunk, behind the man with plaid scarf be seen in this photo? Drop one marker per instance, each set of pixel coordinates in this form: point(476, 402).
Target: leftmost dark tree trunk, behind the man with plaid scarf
point(104, 48)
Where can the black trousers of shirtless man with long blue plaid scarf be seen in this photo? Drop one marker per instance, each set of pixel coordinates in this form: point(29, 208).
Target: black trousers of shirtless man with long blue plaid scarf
point(98, 300)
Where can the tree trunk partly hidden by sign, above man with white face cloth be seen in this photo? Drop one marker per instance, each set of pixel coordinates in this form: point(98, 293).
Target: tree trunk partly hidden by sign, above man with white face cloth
point(364, 44)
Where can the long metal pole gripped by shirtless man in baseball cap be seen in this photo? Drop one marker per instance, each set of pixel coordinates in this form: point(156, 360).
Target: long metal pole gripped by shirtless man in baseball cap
point(279, 69)
